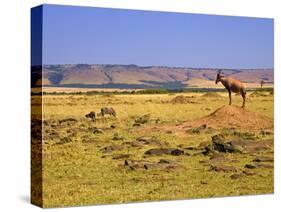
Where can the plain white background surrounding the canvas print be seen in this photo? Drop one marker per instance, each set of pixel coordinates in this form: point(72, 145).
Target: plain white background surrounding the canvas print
point(14, 112)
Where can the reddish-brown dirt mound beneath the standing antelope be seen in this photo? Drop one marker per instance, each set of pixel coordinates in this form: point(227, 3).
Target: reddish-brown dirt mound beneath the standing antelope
point(233, 116)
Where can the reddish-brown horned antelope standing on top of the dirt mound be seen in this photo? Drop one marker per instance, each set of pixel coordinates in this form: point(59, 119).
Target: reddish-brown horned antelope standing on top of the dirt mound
point(232, 85)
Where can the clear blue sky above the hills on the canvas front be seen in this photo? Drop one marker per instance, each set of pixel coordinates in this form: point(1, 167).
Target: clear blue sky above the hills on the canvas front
point(74, 35)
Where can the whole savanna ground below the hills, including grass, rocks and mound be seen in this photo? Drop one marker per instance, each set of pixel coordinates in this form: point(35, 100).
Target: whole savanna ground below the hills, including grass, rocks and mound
point(157, 148)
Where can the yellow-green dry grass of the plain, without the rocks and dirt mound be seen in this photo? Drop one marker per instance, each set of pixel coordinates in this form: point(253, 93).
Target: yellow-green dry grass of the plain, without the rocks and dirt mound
point(77, 171)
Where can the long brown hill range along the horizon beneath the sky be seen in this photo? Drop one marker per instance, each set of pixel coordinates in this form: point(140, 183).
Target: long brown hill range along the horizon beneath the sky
point(133, 76)
